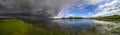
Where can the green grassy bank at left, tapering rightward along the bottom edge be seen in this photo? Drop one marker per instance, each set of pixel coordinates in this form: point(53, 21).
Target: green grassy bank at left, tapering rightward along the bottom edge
point(19, 27)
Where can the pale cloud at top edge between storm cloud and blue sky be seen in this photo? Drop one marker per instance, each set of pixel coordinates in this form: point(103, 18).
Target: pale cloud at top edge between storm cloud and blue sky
point(83, 3)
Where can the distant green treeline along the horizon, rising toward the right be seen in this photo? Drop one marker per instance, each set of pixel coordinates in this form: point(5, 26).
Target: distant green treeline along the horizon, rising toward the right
point(107, 18)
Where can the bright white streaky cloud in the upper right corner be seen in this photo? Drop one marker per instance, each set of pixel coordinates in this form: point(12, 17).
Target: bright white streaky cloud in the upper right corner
point(107, 8)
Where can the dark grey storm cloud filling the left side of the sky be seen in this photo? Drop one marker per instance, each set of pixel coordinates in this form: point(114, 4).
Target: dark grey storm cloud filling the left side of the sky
point(33, 8)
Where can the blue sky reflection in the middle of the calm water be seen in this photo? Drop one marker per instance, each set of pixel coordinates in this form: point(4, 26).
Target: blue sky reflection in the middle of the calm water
point(74, 24)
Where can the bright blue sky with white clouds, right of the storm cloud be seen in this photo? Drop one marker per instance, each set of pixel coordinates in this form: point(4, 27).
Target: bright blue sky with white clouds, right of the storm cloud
point(92, 8)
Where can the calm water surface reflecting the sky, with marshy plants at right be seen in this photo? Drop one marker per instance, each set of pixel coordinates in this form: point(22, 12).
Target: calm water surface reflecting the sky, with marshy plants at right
point(79, 26)
